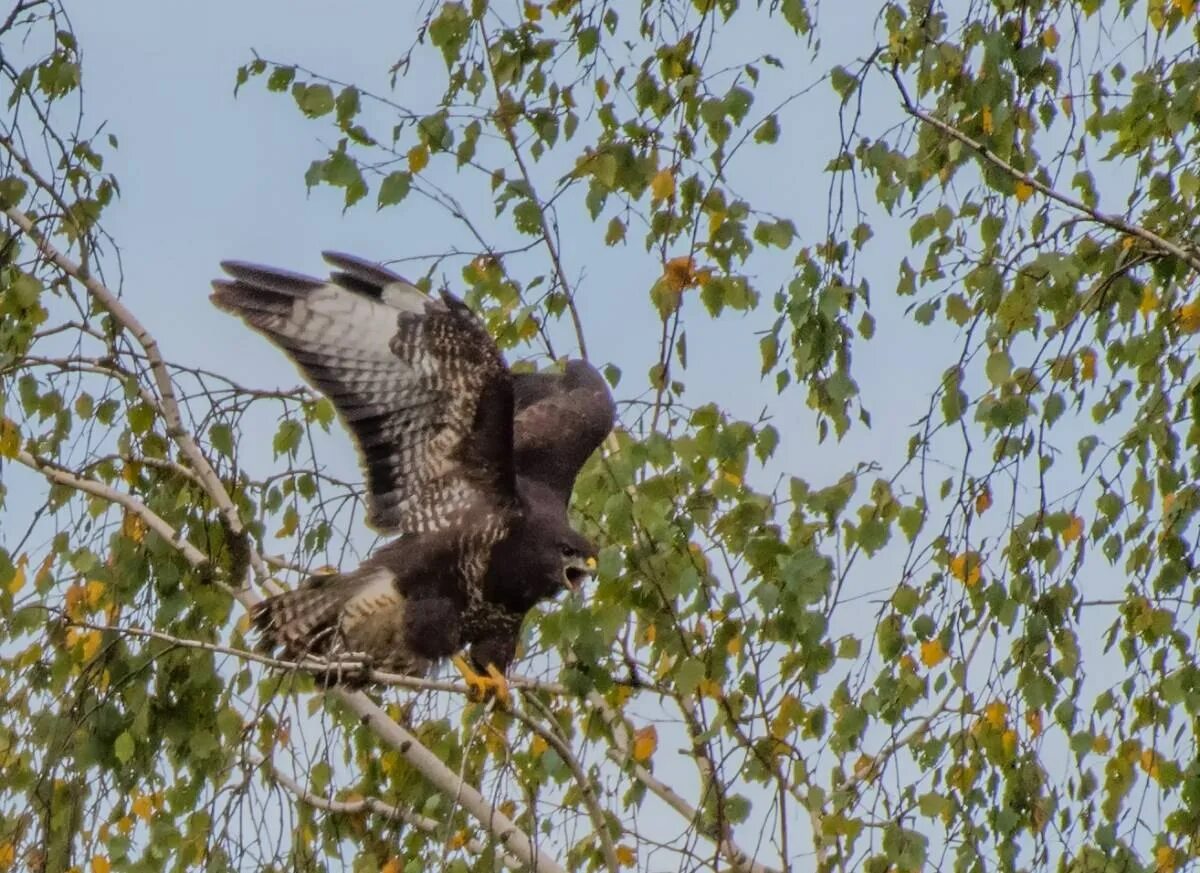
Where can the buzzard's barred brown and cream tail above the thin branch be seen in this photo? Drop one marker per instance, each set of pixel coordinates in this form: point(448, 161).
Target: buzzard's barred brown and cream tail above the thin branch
point(304, 622)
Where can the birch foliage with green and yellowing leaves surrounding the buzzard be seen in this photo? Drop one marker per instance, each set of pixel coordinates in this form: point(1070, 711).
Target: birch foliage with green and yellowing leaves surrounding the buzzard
point(973, 649)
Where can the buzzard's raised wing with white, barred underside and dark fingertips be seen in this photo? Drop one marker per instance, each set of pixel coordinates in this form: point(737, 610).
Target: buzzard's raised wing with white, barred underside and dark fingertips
point(418, 383)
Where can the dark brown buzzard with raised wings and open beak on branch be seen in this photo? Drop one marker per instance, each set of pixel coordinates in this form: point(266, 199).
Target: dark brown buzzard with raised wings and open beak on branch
point(470, 465)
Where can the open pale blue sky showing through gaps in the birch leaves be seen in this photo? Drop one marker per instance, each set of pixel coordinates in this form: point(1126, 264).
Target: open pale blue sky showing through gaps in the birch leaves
point(207, 177)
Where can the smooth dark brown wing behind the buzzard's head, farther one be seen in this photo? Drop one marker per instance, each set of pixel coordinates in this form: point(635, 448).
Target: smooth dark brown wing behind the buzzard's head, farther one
point(561, 419)
